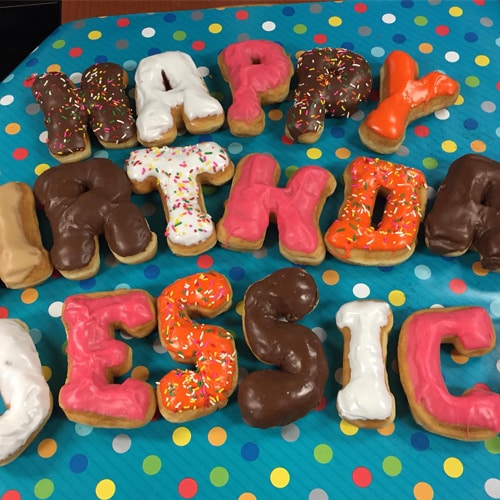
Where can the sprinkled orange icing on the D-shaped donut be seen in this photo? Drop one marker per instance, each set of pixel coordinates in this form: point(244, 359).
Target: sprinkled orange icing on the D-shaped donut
point(402, 215)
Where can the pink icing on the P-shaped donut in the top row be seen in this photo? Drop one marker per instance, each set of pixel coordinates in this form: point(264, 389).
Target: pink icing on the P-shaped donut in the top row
point(254, 67)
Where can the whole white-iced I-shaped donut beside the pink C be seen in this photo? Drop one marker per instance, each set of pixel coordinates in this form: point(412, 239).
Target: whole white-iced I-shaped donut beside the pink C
point(365, 399)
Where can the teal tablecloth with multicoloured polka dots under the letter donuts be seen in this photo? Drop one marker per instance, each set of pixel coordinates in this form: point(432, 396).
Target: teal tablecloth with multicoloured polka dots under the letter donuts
point(319, 456)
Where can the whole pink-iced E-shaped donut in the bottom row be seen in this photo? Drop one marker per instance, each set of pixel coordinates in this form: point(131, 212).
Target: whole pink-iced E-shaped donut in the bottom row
point(89, 395)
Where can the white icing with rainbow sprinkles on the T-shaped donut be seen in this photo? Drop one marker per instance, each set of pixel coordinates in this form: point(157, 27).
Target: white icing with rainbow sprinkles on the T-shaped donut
point(177, 169)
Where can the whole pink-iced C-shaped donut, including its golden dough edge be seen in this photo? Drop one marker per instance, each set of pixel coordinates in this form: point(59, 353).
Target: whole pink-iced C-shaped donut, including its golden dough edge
point(473, 416)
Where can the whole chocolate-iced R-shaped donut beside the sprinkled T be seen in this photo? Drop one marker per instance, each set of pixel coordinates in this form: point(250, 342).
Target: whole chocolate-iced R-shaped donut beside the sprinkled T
point(83, 200)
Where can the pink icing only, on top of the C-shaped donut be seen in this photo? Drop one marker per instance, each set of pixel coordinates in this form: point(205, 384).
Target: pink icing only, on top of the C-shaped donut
point(425, 332)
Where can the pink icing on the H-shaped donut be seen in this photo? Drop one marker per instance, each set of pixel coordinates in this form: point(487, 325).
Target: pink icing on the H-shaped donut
point(254, 197)
